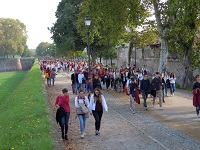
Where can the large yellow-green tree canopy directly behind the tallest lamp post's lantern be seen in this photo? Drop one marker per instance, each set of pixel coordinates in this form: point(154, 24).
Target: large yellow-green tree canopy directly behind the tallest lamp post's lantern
point(109, 19)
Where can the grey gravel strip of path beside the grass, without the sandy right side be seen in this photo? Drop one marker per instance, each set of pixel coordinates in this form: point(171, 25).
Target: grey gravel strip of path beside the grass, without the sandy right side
point(120, 129)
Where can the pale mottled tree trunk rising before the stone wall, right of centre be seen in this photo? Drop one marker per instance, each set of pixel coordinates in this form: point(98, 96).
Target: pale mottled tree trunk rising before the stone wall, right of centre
point(164, 45)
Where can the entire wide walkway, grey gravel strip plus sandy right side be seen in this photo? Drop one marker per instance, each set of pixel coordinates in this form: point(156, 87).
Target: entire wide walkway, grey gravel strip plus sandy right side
point(120, 129)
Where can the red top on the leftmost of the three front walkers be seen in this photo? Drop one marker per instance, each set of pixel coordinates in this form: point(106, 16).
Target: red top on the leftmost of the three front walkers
point(63, 101)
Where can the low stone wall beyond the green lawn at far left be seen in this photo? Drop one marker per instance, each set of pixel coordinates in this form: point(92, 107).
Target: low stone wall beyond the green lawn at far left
point(15, 64)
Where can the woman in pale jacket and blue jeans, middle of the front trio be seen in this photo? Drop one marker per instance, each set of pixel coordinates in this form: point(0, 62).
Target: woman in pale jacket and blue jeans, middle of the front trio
point(81, 100)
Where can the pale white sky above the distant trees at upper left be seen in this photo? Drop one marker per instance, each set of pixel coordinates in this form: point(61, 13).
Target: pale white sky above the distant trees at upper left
point(37, 15)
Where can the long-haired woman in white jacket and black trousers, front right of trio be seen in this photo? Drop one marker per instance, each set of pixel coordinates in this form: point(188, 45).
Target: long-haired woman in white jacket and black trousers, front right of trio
point(97, 104)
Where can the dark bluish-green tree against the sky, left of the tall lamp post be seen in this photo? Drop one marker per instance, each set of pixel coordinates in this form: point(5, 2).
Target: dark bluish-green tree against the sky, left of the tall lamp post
point(64, 30)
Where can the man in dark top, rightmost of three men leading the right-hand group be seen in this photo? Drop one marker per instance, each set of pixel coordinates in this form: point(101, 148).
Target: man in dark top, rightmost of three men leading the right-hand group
point(157, 86)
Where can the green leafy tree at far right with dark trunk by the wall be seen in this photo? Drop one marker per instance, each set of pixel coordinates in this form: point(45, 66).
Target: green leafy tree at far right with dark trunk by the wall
point(183, 25)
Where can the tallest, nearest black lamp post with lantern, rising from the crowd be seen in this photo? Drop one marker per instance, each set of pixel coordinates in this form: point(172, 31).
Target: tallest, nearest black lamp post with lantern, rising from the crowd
point(87, 23)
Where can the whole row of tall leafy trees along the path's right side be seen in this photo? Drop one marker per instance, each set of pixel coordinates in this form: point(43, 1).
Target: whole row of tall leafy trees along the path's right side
point(117, 21)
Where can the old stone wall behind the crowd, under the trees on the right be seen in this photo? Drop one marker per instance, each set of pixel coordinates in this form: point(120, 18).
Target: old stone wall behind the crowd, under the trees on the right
point(150, 56)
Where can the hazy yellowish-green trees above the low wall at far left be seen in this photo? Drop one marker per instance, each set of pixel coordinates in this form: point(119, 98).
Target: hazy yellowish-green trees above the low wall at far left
point(13, 37)
